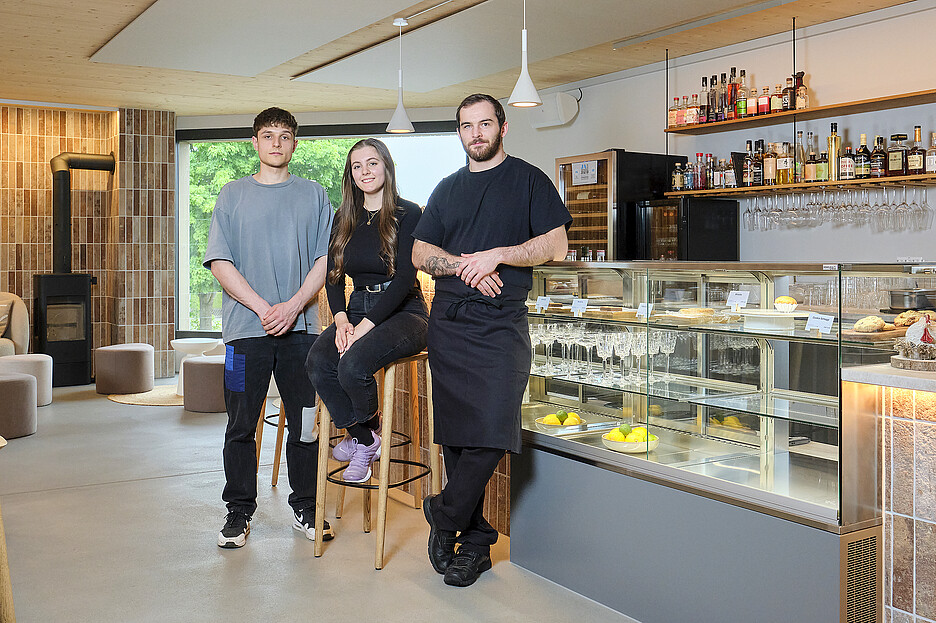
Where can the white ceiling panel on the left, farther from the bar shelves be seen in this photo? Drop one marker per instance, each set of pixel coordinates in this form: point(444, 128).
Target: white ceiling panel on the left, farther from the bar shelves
point(237, 37)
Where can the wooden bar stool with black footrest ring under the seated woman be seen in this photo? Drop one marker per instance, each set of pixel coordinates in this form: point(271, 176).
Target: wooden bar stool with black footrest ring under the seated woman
point(383, 472)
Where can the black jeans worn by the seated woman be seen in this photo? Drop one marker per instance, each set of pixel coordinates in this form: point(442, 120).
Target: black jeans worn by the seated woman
point(346, 384)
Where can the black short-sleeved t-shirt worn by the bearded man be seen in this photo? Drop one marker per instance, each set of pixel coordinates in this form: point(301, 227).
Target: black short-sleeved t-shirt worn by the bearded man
point(504, 206)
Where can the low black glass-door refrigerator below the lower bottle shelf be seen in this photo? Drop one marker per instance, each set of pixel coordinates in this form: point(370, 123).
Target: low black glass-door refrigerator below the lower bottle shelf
point(681, 228)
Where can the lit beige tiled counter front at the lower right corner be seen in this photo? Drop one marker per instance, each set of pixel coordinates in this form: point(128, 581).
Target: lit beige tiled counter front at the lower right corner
point(909, 505)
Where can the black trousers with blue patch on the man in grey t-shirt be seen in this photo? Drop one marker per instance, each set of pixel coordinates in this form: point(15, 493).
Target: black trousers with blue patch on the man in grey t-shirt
point(248, 363)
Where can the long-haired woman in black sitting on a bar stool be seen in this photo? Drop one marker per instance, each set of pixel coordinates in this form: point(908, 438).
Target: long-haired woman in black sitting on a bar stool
point(385, 318)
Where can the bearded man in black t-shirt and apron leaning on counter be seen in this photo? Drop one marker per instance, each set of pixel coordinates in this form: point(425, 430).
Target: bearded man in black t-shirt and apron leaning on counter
point(484, 227)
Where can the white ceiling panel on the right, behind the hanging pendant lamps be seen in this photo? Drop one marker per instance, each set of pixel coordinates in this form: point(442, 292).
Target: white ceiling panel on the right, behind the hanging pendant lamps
point(485, 39)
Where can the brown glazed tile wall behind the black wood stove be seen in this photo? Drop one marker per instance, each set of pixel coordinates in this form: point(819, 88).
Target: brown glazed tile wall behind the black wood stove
point(122, 224)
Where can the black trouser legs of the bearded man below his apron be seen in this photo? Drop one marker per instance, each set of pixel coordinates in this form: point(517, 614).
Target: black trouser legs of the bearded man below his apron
point(460, 506)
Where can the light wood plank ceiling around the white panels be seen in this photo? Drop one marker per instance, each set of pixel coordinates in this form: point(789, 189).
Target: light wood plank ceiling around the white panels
point(45, 47)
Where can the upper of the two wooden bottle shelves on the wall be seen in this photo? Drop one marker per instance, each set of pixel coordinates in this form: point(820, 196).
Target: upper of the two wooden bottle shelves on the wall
point(806, 114)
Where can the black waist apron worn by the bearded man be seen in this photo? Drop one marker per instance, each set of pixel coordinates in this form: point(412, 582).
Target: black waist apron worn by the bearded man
point(479, 354)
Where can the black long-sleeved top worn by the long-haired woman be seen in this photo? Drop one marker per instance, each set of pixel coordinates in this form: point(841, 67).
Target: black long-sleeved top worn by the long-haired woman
point(362, 262)
